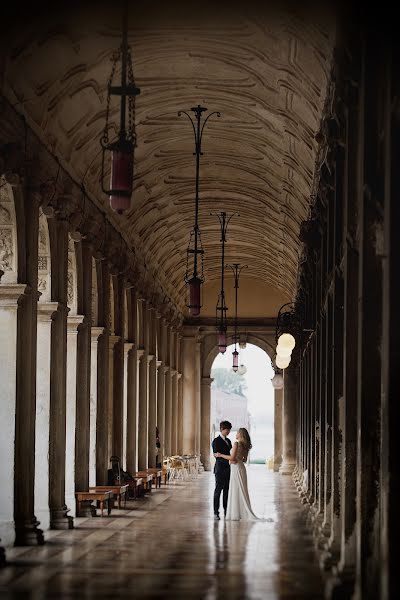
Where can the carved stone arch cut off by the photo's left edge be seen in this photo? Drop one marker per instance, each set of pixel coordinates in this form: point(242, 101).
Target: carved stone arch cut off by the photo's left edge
point(8, 234)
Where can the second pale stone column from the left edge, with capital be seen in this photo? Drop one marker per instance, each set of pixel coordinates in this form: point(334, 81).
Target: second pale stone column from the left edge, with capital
point(46, 310)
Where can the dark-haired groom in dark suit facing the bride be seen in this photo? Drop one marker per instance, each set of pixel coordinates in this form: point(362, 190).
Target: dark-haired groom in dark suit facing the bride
point(222, 468)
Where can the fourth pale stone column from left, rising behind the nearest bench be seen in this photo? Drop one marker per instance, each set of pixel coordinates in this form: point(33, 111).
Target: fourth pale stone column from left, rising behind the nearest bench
point(95, 333)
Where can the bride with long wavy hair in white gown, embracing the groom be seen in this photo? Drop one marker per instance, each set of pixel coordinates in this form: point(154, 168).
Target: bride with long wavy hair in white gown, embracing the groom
point(239, 507)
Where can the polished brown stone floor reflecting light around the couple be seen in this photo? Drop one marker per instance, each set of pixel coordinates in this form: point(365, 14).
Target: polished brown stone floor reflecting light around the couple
point(169, 546)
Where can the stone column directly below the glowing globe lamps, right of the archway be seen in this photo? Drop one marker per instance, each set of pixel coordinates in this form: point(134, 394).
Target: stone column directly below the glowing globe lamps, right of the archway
point(289, 422)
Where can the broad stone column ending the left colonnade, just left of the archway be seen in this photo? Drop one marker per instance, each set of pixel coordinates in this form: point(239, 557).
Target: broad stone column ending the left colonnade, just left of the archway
point(189, 392)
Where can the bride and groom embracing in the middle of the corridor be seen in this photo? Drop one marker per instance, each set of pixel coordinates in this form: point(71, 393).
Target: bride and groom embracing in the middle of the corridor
point(231, 476)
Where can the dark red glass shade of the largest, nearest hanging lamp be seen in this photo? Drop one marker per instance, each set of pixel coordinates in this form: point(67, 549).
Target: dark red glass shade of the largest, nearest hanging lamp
point(121, 183)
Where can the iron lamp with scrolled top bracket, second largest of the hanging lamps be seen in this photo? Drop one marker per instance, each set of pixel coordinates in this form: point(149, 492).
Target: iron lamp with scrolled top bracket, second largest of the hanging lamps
point(194, 277)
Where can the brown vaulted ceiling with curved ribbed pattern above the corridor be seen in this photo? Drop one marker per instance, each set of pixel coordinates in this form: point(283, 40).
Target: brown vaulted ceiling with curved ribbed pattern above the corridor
point(266, 71)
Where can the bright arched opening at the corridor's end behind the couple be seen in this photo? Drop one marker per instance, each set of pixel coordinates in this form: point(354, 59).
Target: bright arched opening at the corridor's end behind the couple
point(245, 399)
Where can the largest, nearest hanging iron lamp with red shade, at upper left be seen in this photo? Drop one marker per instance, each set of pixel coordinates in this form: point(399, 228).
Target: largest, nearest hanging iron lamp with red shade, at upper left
point(121, 149)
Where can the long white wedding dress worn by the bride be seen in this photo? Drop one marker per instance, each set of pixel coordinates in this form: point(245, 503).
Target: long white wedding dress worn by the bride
point(239, 506)
